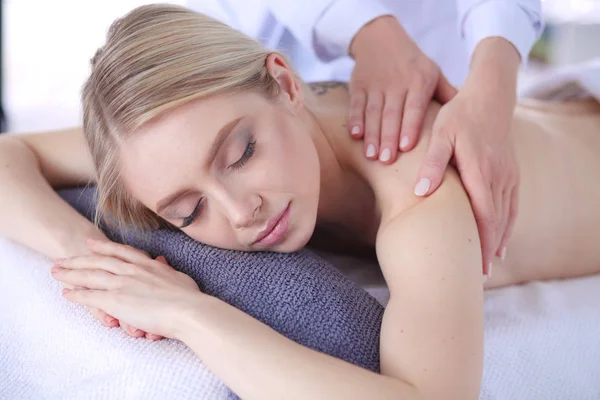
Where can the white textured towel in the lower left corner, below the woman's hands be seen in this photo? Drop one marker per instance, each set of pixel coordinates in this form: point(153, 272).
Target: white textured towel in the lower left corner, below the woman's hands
point(52, 349)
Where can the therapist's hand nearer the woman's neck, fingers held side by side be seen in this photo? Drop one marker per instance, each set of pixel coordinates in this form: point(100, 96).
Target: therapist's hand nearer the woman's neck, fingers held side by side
point(391, 87)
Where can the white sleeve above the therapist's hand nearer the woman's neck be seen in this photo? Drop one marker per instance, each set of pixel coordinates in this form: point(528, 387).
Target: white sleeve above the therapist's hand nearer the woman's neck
point(326, 26)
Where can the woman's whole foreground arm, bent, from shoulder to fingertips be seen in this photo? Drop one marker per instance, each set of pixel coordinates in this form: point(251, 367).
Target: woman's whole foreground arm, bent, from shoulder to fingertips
point(431, 345)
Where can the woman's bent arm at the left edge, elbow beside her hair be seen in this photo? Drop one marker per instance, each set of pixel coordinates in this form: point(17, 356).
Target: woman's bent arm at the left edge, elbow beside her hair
point(32, 213)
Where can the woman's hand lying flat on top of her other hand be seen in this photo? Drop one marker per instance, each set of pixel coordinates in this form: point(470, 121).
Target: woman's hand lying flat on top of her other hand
point(128, 284)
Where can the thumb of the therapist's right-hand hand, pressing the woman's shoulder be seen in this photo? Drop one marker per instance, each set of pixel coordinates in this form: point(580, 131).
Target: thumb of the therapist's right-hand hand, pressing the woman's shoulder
point(434, 164)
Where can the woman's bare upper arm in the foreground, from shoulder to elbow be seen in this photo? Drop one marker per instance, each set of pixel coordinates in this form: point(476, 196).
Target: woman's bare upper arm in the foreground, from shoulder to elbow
point(432, 333)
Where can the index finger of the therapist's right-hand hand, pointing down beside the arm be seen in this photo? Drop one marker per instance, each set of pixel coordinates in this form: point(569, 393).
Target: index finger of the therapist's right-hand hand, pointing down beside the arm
point(483, 208)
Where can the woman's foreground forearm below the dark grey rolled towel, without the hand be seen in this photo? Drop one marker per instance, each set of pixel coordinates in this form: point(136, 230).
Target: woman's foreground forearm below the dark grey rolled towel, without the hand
point(258, 363)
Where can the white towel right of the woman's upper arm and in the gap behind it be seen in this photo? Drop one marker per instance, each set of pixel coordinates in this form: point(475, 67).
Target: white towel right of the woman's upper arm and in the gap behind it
point(542, 340)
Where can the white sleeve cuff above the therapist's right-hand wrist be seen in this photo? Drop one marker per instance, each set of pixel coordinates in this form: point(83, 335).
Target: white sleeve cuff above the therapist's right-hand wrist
point(518, 21)
